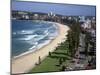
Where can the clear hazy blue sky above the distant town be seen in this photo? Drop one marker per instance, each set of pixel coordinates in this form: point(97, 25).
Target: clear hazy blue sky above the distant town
point(63, 9)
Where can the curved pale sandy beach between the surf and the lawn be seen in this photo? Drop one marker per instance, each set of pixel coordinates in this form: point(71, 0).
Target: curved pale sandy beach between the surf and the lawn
point(26, 62)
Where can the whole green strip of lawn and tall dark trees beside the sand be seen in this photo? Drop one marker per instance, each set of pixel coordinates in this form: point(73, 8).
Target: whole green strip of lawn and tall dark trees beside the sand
point(63, 54)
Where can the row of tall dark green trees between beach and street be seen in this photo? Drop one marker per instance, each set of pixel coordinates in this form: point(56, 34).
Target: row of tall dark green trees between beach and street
point(73, 37)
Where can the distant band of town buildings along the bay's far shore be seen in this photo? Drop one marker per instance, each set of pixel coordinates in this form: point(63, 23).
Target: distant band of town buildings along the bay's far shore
point(39, 16)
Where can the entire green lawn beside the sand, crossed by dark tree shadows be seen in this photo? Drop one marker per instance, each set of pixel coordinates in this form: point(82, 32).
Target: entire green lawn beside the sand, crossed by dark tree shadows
point(51, 63)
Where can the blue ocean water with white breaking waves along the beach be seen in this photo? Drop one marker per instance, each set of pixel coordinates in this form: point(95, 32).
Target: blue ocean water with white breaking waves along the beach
point(29, 35)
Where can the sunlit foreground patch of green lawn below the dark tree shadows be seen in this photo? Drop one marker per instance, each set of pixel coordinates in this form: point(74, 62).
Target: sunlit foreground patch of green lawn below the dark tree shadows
point(49, 64)
